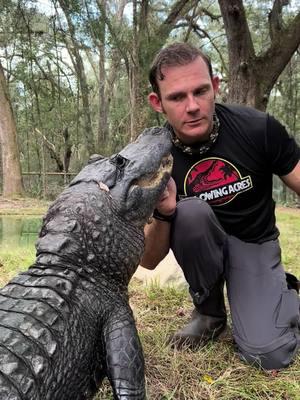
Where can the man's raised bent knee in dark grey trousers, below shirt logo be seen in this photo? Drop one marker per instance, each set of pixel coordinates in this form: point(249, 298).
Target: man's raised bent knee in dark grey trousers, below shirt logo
point(197, 241)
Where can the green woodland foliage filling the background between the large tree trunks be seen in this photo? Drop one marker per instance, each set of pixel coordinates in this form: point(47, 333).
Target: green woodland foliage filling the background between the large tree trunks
point(37, 51)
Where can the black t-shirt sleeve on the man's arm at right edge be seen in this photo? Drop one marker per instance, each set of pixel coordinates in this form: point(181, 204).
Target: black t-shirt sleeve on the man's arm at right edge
point(283, 151)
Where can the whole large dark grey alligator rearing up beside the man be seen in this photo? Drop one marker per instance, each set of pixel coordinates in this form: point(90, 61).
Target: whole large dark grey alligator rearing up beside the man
point(66, 322)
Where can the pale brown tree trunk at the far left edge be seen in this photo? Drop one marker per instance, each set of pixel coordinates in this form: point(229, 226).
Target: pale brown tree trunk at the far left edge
point(11, 168)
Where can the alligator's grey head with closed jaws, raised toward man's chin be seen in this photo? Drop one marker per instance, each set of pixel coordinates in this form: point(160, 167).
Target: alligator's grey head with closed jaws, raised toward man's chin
point(136, 176)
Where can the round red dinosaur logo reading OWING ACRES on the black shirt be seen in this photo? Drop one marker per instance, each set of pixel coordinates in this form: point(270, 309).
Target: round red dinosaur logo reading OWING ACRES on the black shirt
point(215, 181)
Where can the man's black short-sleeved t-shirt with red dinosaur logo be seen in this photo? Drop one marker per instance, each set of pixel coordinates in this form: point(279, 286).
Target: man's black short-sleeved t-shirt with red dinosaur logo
point(235, 175)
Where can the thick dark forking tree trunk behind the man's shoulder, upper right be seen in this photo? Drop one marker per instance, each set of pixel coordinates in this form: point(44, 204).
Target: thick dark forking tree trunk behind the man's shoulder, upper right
point(251, 76)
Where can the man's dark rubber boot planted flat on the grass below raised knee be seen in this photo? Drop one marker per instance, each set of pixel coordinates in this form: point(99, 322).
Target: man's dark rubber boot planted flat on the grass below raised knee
point(207, 322)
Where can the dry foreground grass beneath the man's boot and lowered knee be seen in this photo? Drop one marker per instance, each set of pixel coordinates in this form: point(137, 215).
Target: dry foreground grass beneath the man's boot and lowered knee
point(214, 372)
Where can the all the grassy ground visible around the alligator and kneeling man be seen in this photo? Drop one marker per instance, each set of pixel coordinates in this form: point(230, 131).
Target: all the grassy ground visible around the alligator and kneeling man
point(214, 372)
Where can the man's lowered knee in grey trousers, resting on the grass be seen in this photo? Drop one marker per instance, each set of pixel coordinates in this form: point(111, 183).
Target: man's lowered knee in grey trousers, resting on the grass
point(276, 355)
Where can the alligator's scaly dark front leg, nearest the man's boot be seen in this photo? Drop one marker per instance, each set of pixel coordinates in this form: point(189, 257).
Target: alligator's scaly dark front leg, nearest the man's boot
point(124, 356)
